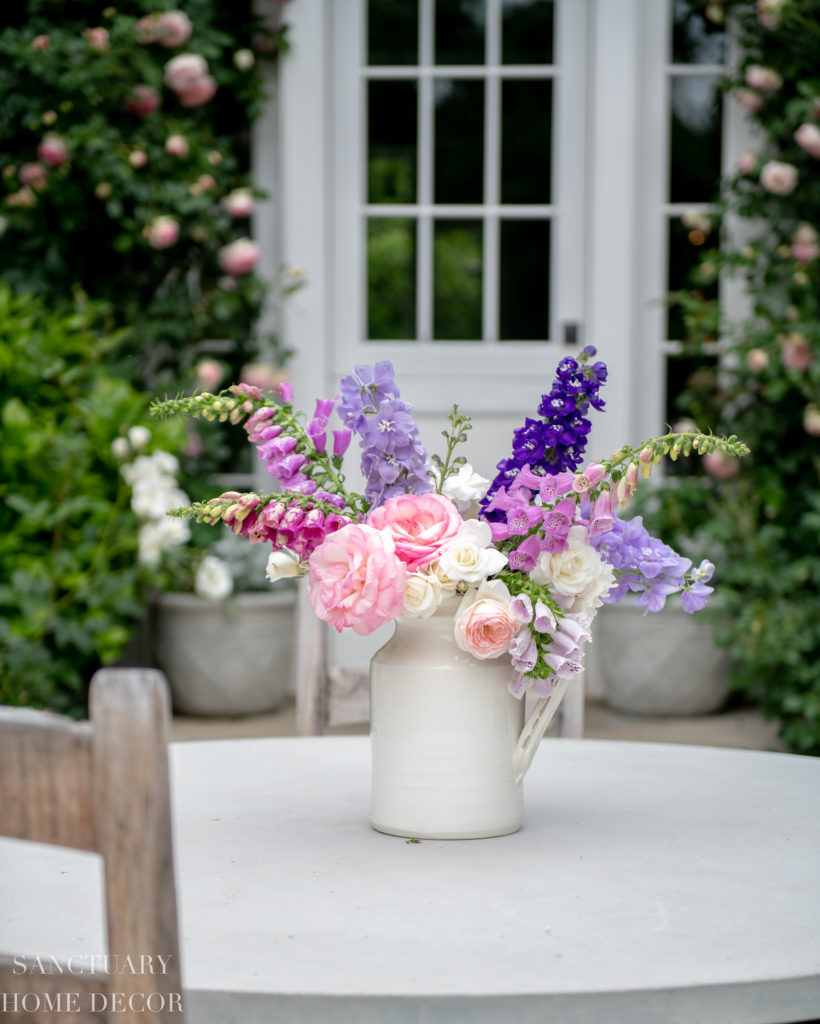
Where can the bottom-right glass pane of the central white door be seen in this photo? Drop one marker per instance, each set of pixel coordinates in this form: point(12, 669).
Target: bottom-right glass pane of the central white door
point(525, 300)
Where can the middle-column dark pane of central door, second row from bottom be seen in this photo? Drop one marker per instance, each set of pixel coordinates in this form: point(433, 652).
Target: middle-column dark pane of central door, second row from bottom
point(459, 142)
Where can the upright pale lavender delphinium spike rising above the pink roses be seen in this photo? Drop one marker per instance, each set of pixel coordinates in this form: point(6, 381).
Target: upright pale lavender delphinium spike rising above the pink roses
point(394, 460)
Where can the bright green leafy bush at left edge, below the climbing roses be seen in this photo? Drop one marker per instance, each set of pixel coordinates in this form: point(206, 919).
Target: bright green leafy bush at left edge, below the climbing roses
point(70, 588)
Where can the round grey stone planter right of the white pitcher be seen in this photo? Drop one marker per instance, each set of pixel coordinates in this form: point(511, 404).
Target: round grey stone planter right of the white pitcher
point(660, 664)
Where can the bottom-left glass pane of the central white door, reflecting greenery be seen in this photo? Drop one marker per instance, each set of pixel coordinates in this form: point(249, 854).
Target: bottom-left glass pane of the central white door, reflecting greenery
point(392, 279)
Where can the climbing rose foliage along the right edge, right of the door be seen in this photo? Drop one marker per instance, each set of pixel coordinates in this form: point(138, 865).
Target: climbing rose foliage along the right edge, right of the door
point(761, 525)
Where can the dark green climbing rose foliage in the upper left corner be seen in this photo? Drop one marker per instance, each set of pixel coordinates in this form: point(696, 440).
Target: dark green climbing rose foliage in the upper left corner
point(81, 227)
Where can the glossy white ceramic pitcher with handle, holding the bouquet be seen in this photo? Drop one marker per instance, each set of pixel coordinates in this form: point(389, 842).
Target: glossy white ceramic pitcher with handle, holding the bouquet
point(449, 743)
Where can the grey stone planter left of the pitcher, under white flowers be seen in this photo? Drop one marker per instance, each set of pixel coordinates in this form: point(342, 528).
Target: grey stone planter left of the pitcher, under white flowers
point(229, 658)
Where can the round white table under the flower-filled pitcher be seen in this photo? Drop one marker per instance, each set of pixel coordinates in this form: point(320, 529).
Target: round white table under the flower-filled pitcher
point(651, 883)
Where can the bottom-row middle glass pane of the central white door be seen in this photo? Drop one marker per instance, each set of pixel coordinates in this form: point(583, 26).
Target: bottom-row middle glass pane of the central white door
point(457, 280)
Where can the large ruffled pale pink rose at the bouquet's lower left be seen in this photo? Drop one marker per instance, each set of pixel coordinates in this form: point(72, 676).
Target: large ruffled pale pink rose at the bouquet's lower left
point(357, 580)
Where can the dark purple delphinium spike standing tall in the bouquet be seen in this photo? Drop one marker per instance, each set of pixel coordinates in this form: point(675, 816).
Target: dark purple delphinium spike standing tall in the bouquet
point(557, 442)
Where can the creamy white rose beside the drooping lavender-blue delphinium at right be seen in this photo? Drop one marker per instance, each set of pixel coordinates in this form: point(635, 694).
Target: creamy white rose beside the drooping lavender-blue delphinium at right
point(578, 577)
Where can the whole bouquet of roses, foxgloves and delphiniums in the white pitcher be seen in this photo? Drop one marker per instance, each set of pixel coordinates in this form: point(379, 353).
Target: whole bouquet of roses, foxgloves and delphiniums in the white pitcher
point(531, 556)
